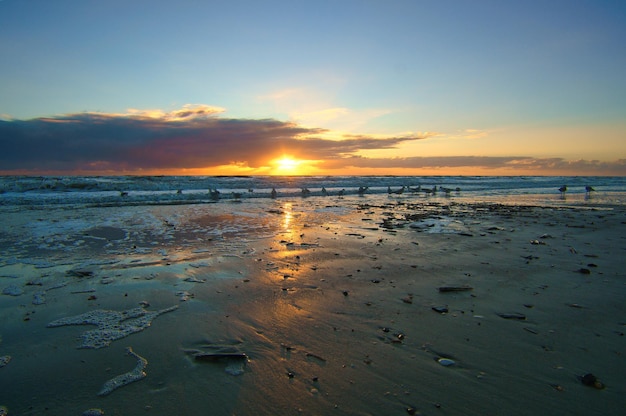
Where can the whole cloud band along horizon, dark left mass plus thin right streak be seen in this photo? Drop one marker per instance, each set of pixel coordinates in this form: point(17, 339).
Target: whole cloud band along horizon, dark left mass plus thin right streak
point(196, 137)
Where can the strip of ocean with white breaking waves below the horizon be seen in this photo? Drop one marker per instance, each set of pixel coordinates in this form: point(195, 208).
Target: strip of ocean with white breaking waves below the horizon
point(33, 191)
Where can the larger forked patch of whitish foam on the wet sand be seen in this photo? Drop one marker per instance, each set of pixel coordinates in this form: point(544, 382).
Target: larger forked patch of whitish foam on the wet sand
point(112, 325)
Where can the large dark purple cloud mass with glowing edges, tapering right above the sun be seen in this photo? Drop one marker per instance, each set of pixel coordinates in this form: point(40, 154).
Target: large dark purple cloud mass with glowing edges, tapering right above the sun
point(193, 137)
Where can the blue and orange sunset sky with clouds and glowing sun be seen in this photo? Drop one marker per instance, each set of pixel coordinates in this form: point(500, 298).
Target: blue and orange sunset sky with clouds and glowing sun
point(338, 87)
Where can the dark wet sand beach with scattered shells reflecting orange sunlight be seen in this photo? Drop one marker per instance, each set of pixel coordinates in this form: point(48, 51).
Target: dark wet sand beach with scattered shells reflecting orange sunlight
point(334, 302)
